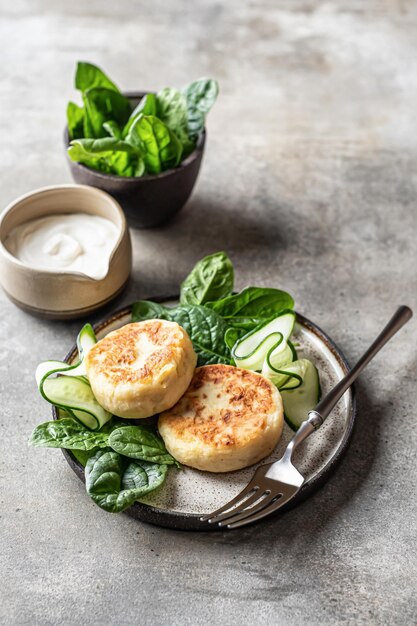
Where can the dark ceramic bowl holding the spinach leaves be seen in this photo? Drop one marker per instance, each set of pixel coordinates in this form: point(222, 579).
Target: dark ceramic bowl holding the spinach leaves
point(150, 200)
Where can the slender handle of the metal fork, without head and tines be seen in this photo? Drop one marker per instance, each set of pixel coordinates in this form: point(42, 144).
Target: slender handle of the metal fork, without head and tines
point(326, 405)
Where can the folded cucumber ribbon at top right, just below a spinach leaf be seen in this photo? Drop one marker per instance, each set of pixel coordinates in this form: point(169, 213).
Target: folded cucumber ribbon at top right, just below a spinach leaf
point(251, 350)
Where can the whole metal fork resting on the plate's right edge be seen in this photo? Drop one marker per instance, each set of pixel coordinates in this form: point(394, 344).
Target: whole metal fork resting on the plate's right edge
point(274, 484)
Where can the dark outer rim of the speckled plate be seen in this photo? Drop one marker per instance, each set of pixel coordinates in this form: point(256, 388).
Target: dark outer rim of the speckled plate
point(191, 521)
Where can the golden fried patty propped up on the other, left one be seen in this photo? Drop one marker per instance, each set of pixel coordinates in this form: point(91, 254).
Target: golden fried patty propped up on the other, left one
point(142, 368)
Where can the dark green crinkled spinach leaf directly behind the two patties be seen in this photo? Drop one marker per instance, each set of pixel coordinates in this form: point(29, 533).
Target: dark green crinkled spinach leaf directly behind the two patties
point(204, 326)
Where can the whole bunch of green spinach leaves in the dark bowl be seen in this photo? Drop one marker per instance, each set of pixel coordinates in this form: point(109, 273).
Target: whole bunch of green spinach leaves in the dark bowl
point(109, 135)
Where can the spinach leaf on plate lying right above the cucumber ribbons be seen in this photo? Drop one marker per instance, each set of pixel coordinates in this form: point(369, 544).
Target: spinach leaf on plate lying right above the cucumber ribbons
point(258, 303)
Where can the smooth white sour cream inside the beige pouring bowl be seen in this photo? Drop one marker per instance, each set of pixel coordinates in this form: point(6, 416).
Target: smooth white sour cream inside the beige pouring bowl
point(74, 242)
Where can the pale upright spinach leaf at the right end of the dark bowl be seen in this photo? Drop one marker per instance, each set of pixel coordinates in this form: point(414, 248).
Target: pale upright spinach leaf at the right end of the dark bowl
point(201, 94)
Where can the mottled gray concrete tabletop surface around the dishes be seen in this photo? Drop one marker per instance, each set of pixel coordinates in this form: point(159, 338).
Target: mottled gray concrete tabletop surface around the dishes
point(309, 182)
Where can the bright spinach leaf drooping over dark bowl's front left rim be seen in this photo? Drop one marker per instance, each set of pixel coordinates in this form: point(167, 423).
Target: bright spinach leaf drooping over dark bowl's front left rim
point(109, 155)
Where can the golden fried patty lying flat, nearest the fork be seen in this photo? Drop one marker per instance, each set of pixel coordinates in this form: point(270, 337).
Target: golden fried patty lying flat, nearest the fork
point(227, 419)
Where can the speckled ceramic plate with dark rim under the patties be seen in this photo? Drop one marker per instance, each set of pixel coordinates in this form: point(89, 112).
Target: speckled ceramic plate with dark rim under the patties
point(189, 493)
